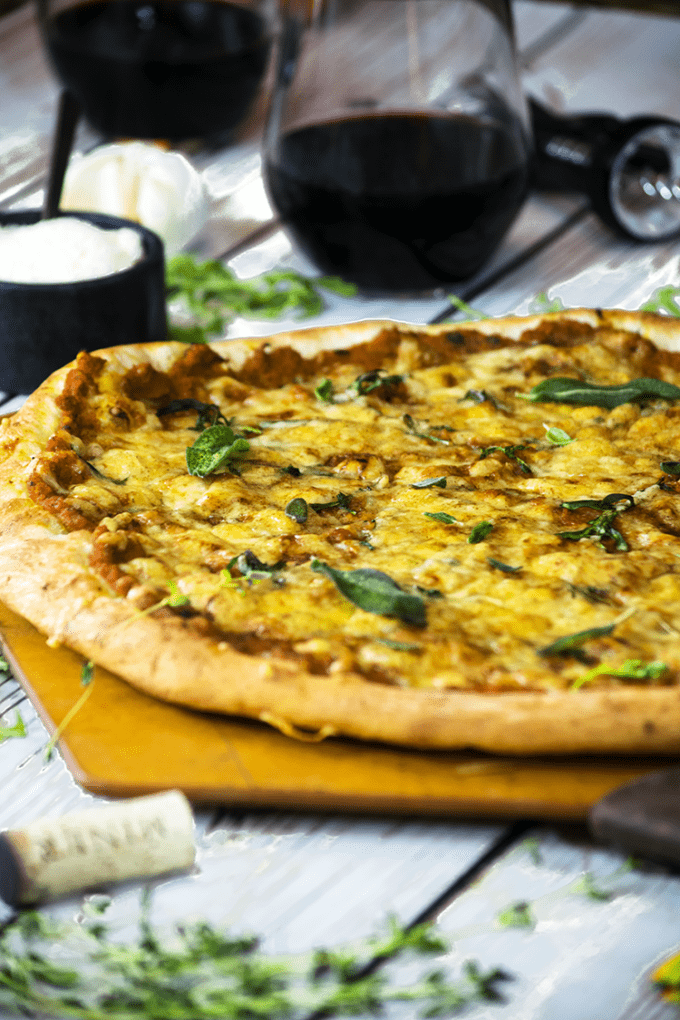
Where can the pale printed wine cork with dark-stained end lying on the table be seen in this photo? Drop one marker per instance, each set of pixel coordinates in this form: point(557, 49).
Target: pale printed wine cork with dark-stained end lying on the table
point(142, 838)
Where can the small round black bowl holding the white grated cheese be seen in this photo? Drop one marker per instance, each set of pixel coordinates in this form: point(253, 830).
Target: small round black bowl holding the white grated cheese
point(45, 326)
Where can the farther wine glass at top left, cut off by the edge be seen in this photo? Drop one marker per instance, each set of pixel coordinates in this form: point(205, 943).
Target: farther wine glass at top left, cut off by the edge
point(173, 70)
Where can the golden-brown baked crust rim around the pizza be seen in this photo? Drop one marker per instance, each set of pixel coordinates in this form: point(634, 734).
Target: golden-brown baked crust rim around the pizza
point(44, 577)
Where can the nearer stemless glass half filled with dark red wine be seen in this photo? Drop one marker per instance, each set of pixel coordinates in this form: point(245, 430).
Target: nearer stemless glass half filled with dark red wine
point(397, 145)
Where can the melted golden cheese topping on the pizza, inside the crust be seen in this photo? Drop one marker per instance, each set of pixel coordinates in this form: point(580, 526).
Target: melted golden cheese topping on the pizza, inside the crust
point(493, 606)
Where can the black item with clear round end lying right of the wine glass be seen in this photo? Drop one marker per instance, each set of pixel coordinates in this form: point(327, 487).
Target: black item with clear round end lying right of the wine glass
point(631, 170)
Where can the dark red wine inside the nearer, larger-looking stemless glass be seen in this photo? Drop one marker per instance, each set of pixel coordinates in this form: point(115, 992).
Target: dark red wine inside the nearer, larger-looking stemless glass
point(399, 201)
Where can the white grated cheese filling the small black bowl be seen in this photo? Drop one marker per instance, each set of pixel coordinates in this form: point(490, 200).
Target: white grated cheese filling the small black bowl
point(66, 250)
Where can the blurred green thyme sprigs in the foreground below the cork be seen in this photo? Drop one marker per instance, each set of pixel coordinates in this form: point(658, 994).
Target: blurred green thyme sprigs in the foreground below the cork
point(197, 972)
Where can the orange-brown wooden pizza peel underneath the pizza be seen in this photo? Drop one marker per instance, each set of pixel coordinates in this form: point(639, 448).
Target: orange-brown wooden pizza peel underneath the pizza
point(123, 743)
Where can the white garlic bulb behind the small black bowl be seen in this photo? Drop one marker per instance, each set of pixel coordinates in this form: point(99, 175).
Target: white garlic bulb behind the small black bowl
point(140, 182)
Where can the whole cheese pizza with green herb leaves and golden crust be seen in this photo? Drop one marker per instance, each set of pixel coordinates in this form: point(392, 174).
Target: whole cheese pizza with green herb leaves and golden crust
point(463, 536)
